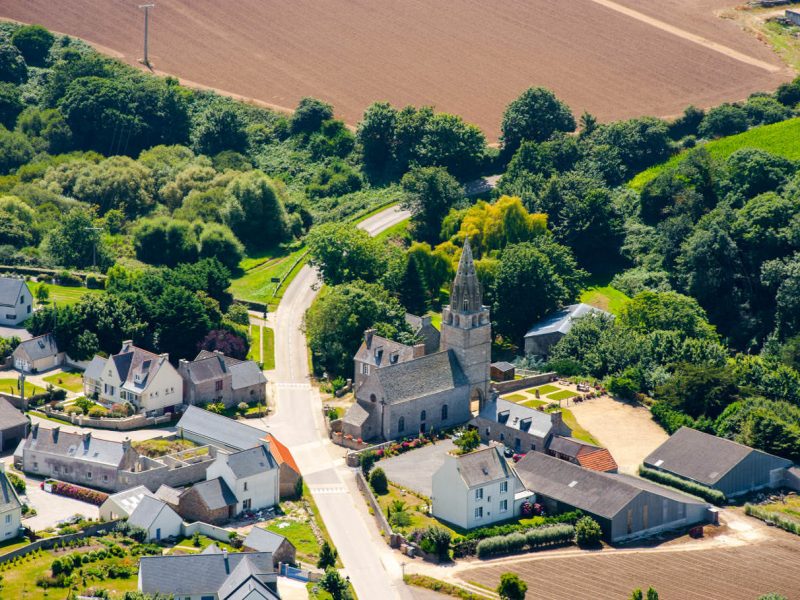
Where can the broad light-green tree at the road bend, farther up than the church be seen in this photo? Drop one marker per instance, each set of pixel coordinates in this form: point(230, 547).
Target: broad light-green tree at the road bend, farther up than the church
point(344, 253)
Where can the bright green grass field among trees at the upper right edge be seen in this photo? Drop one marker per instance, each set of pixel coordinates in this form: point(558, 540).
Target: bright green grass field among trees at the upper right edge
point(778, 138)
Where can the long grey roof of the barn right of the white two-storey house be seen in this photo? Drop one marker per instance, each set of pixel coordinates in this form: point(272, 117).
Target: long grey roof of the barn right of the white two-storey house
point(602, 494)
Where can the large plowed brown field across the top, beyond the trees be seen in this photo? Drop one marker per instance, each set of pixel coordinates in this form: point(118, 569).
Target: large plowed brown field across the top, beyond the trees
point(463, 56)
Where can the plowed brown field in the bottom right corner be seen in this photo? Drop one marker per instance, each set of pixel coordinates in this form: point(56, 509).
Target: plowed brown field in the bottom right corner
point(738, 573)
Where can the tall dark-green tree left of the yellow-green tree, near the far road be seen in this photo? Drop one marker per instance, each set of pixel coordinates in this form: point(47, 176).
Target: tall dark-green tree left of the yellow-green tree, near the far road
point(430, 194)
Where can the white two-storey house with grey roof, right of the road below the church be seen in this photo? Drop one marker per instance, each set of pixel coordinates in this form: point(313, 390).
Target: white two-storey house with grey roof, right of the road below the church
point(477, 489)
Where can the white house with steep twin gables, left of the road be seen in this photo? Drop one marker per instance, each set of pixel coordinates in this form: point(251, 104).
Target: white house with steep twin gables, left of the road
point(148, 381)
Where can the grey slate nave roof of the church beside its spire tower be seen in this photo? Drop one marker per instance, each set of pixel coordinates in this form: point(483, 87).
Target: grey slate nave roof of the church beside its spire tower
point(423, 376)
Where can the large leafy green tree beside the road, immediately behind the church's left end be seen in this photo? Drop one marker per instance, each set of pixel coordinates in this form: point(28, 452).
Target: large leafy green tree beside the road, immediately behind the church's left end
point(336, 322)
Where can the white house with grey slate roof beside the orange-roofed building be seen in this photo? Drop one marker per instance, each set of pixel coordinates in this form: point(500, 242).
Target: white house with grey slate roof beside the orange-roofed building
point(252, 475)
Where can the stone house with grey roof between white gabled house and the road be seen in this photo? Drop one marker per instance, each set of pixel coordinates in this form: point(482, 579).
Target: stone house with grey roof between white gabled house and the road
point(214, 377)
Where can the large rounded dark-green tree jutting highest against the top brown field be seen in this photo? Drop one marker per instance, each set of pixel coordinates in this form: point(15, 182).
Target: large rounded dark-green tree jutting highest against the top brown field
point(534, 116)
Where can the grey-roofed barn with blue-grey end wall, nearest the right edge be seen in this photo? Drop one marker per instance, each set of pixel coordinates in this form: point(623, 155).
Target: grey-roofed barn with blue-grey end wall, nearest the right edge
point(721, 464)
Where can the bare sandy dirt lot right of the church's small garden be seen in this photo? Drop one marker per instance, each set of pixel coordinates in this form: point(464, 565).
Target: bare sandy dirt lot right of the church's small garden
point(629, 432)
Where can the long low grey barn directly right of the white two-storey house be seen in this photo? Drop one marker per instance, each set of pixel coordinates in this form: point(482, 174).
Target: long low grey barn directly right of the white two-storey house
point(624, 506)
